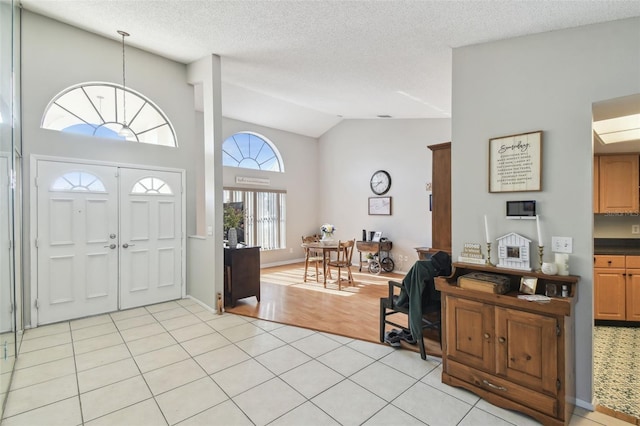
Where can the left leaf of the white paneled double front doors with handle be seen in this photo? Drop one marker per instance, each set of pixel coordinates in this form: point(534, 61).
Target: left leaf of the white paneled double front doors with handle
point(77, 240)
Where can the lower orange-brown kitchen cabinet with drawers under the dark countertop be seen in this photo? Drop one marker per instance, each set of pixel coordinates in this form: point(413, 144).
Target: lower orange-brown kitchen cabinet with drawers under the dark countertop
point(616, 281)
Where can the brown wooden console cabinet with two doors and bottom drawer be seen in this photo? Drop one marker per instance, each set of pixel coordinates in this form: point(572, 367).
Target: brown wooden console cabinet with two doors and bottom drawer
point(514, 353)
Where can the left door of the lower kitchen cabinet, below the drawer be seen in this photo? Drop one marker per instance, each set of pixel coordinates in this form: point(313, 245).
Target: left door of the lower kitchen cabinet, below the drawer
point(609, 294)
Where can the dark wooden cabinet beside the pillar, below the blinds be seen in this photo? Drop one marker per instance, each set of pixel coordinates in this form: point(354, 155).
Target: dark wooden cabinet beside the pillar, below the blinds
point(241, 274)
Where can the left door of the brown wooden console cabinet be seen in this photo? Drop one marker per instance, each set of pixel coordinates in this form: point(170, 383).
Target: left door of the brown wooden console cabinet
point(470, 337)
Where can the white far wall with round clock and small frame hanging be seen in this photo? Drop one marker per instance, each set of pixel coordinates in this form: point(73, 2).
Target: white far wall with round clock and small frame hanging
point(352, 151)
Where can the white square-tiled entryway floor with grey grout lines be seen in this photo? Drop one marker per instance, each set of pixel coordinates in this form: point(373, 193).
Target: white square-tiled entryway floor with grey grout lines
point(177, 363)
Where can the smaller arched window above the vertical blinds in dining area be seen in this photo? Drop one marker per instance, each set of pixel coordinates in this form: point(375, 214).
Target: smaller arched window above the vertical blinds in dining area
point(251, 151)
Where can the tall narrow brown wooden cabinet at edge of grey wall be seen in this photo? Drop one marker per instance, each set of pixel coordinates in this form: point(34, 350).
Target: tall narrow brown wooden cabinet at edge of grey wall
point(441, 197)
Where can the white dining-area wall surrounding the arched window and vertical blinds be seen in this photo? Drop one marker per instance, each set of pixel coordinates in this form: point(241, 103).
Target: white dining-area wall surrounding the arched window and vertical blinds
point(300, 180)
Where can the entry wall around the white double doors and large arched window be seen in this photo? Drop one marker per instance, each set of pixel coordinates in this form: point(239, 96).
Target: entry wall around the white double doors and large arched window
point(56, 56)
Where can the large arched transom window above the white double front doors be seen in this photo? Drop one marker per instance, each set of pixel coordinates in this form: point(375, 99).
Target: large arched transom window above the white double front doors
point(104, 110)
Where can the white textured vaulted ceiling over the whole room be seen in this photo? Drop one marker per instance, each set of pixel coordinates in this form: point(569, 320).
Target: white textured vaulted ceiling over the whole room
point(302, 66)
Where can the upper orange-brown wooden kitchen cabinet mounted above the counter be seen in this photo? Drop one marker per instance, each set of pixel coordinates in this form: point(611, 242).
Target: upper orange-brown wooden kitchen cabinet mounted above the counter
point(618, 183)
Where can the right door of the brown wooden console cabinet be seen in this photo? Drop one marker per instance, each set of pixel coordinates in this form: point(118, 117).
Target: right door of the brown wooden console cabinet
point(527, 349)
